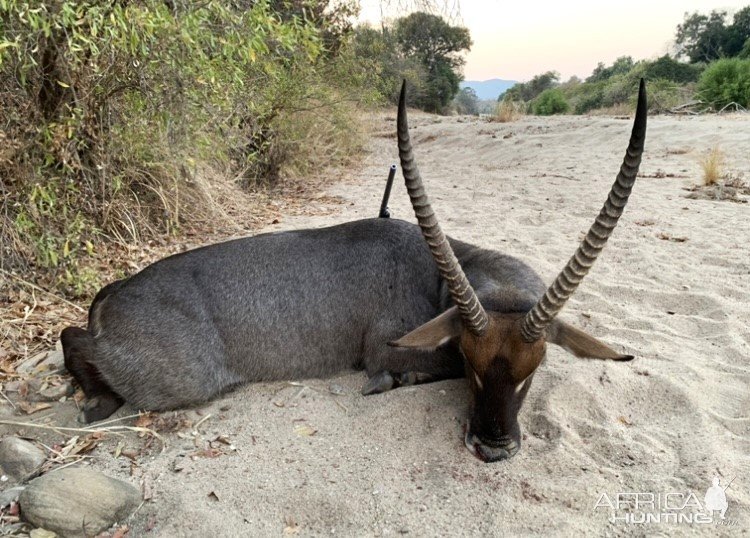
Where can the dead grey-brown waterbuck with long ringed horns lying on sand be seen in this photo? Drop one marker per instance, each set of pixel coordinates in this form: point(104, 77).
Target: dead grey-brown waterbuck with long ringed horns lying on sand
point(310, 303)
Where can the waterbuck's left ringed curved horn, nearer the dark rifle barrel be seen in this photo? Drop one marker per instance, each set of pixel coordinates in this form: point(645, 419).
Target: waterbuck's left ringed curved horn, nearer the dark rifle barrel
point(473, 315)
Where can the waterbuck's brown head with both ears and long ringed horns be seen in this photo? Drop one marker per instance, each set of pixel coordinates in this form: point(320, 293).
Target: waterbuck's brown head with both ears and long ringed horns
point(504, 349)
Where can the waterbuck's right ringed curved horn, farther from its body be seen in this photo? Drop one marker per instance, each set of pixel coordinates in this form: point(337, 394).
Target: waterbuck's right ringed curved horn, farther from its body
point(568, 280)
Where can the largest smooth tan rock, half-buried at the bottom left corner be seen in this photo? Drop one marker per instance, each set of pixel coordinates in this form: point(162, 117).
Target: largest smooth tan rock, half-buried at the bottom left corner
point(77, 502)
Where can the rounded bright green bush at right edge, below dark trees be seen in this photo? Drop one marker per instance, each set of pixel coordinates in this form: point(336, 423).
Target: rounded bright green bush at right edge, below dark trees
point(726, 81)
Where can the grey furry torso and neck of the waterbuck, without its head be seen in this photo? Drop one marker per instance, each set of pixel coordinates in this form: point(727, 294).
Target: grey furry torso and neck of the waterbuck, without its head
point(287, 305)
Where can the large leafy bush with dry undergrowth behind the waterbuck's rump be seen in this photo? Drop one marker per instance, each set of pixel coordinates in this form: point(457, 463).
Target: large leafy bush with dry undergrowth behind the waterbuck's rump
point(109, 110)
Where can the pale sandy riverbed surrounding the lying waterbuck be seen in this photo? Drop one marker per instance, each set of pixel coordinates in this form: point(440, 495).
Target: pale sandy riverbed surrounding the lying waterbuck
point(671, 288)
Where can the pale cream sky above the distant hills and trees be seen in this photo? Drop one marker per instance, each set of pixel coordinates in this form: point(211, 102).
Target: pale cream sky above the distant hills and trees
point(519, 39)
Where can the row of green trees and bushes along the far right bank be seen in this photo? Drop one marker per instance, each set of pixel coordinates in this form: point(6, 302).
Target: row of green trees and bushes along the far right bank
point(715, 73)
